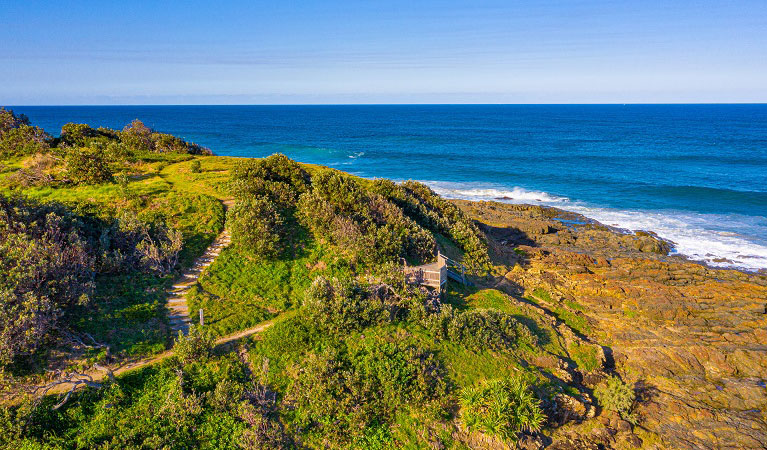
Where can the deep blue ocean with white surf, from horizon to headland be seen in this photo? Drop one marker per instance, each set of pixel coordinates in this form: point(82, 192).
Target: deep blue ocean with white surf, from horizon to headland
point(696, 174)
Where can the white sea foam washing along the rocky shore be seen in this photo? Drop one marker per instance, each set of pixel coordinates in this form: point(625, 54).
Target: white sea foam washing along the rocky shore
point(720, 240)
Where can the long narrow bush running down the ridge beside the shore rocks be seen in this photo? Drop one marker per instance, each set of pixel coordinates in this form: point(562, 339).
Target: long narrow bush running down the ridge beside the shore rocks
point(439, 215)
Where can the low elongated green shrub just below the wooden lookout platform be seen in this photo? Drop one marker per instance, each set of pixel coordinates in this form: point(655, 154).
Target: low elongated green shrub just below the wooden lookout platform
point(481, 329)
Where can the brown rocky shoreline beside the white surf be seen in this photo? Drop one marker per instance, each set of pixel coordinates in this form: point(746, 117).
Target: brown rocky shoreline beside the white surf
point(691, 339)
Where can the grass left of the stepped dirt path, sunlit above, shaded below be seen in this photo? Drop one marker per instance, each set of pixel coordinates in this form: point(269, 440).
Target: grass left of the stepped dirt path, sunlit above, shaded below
point(128, 312)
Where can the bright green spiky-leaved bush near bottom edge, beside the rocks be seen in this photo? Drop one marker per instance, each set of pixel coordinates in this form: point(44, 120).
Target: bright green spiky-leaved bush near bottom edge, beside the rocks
point(501, 408)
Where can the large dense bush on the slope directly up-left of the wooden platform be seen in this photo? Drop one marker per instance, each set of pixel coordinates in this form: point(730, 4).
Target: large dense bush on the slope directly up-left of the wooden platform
point(362, 224)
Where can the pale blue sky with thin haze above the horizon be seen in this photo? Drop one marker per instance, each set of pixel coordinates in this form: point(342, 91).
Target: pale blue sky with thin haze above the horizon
point(416, 51)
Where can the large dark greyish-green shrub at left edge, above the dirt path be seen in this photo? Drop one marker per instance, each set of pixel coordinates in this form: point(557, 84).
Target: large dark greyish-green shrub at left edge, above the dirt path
point(47, 266)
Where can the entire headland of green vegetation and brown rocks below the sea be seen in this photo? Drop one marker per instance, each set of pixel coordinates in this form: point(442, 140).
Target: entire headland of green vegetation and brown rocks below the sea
point(571, 335)
